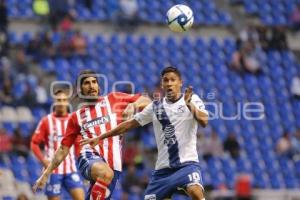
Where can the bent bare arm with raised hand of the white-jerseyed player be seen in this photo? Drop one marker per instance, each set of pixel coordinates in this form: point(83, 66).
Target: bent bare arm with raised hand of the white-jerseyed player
point(201, 117)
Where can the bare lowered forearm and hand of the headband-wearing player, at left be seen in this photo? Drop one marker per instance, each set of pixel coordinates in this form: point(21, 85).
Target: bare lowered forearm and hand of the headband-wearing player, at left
point(59, 156)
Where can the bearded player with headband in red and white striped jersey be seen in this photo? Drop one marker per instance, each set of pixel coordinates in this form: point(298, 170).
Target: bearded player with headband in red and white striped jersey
point(98, 116)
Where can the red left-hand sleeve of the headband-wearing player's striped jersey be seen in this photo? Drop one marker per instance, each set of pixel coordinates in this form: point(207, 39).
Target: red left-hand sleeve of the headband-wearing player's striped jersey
point(72, 131)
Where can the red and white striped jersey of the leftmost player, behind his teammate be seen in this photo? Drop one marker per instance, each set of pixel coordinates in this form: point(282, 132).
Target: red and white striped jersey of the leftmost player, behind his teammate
point(50, 132)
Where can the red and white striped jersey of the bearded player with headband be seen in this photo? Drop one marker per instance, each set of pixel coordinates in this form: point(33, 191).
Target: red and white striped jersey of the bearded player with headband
point(93, 120)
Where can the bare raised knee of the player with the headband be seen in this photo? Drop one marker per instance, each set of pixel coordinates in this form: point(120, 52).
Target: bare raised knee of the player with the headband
point(103, 172)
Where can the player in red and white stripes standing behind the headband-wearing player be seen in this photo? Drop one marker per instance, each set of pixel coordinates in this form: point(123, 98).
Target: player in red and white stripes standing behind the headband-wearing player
point(49, 133)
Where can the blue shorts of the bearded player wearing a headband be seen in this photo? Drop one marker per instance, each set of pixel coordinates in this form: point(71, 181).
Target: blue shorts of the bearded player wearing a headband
point(85, 163)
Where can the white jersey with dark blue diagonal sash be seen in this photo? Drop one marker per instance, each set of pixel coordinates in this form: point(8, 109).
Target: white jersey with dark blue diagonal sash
point(175, 130)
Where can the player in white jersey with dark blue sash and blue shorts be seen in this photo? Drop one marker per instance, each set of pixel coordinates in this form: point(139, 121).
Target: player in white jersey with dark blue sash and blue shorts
point(175, 120)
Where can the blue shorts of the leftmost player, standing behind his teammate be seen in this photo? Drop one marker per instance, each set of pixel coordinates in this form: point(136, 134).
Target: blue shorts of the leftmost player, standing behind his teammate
point(68, 181)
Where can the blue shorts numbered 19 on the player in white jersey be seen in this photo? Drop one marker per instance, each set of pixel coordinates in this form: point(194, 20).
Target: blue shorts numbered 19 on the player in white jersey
point(165, 182)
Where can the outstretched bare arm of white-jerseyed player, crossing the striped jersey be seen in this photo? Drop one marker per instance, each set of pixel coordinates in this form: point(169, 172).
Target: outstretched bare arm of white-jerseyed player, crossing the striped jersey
point(120, 129)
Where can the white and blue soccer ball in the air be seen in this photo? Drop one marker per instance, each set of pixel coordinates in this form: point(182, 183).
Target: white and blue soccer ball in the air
point(180, 18)
